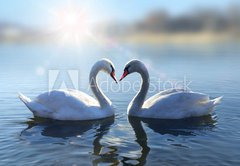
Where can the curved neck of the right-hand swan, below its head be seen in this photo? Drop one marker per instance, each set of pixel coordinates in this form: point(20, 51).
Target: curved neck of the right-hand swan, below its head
point(138, 100)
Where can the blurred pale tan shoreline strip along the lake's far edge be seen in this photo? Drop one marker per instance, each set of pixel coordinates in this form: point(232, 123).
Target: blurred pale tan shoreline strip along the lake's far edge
point(140, 38)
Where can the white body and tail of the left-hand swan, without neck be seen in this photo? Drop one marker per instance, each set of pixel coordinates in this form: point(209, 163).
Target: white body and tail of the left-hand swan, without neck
point(63, 105)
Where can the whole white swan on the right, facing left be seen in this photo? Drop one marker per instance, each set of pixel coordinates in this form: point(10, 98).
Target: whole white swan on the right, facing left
point(168, 104)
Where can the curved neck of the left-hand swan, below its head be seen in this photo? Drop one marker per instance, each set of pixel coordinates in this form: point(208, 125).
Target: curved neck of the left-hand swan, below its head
point(102, 99)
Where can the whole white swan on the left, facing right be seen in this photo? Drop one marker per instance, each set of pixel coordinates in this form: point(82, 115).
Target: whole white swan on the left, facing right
point(73, 104)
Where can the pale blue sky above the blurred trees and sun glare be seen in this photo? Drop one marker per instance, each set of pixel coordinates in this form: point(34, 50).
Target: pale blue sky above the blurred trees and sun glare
point(39, 13)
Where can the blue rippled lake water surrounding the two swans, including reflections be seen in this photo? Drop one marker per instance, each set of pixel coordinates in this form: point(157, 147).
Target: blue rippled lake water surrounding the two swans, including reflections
point(210, 140)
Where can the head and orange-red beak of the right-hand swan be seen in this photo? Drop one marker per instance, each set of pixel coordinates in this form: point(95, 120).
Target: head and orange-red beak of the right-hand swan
point(133, 66)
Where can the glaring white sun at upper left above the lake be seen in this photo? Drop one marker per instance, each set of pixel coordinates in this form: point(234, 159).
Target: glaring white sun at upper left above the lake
point(72, 25)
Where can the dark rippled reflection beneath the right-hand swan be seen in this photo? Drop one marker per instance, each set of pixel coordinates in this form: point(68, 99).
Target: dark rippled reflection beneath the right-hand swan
point(180, 127)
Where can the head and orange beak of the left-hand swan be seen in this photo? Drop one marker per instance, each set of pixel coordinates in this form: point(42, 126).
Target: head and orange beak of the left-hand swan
point(107, 66)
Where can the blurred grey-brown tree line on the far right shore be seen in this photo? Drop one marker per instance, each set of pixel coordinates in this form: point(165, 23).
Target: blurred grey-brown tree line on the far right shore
point(160, 21)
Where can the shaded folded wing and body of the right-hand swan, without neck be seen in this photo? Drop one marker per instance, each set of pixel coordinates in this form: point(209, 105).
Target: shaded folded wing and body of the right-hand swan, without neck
point(179, 105)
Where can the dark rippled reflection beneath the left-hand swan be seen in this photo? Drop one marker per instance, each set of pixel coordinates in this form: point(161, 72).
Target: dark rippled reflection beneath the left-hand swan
point(65, 130)
